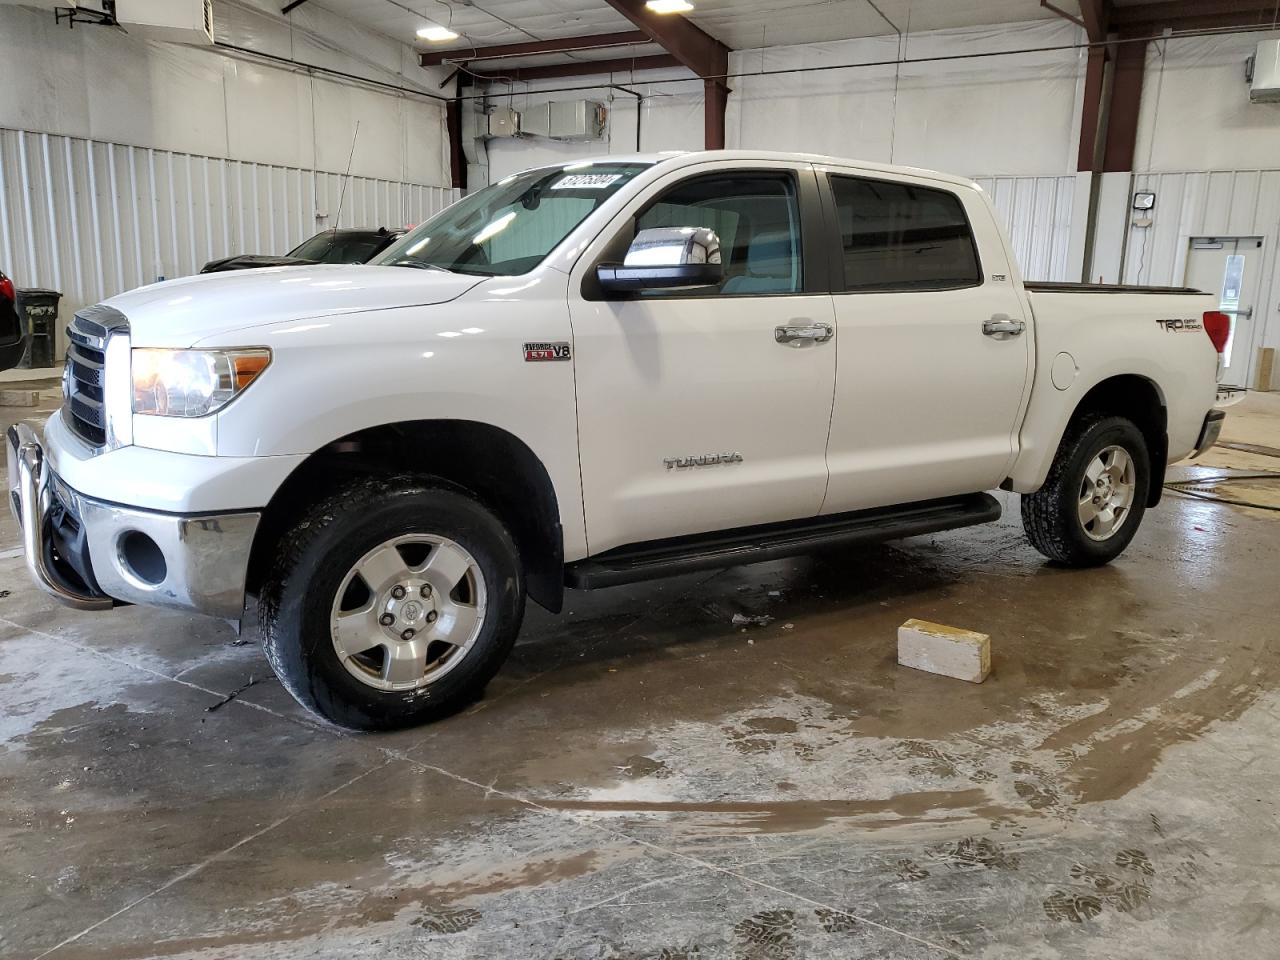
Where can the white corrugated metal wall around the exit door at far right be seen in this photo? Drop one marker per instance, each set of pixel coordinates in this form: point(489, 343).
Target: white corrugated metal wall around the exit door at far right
point(1219, 203)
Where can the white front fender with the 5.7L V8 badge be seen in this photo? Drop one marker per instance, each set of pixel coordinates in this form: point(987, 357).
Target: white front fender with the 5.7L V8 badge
point(459, 362)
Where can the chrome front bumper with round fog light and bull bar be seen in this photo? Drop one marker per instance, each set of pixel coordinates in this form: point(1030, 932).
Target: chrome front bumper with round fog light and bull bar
point(93, 555)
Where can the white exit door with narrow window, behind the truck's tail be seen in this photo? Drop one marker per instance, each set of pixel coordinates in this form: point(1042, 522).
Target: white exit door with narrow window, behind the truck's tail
point(1229, 268)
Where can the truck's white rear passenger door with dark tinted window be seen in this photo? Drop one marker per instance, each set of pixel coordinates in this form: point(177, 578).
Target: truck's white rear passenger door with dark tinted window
point(934, 355)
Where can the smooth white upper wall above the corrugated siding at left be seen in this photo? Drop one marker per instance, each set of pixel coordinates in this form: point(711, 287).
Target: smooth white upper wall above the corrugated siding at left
point(108, 86)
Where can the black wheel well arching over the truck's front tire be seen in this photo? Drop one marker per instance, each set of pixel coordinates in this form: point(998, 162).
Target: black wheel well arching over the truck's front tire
point(484, 461)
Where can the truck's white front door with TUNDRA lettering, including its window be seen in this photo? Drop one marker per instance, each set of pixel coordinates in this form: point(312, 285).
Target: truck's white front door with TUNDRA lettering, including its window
point(692, 415)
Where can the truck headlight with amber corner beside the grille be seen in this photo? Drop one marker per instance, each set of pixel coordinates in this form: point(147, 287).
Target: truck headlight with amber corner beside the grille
point(191, 383)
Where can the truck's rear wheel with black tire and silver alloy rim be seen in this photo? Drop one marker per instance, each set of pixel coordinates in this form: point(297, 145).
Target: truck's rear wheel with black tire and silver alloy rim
point(1095, 495)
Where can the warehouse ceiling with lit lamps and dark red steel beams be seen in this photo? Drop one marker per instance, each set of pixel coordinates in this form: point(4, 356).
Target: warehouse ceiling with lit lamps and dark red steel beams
point(615, 44)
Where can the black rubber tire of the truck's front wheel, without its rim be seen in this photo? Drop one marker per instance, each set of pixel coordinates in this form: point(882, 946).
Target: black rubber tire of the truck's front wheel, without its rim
point(316, 556)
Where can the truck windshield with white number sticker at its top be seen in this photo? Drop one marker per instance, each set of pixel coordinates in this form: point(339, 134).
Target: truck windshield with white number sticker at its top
point(509, 228)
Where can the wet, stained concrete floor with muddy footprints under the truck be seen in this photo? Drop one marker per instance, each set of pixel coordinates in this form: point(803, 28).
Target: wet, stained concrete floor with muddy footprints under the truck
point(646, 780)
